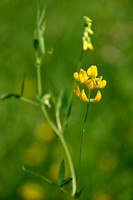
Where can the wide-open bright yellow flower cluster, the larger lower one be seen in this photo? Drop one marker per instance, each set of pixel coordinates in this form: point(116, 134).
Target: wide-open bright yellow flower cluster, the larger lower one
point(89, 79)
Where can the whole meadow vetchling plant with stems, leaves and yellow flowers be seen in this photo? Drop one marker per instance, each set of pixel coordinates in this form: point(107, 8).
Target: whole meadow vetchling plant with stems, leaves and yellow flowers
point(87, 78)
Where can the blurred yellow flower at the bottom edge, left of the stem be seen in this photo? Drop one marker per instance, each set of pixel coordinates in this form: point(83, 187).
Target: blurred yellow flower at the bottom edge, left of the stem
point(31, 191)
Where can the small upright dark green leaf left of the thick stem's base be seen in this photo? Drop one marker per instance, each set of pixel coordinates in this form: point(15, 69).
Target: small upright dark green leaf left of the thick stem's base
point(61, 173)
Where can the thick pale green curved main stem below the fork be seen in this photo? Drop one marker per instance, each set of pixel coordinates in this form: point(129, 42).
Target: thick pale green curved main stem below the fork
point(70, 164)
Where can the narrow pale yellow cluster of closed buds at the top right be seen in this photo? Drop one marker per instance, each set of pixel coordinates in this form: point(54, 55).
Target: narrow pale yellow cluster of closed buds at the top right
point(86, 38)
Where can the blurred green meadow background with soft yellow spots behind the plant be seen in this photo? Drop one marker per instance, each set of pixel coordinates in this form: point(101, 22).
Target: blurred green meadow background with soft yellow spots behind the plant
point(25, 137)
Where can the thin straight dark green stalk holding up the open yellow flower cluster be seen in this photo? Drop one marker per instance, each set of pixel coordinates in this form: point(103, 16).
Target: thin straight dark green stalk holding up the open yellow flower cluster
point(82, 136)
